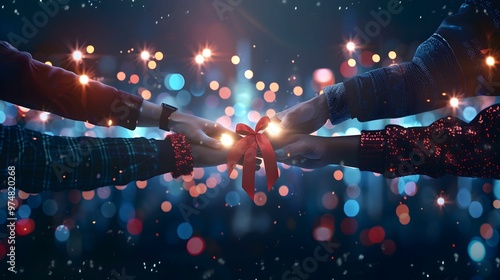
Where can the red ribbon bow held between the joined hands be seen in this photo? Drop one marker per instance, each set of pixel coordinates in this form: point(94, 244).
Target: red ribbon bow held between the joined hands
point(247, 148)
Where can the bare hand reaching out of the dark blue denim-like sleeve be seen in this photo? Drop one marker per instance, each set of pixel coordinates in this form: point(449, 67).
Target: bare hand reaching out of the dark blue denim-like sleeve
point(305, 117)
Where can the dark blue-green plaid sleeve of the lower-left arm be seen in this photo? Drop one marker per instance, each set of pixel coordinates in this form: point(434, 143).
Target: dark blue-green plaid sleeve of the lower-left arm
point(56, 163)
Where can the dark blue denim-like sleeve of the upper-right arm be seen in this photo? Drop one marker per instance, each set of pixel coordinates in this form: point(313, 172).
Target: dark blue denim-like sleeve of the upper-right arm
point(450, 63)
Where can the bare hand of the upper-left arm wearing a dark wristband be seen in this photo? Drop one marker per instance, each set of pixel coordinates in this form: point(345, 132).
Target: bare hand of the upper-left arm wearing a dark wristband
point(199, 131)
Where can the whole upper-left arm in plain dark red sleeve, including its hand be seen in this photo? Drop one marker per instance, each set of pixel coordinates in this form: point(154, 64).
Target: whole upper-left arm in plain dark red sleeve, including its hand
point(33, 84)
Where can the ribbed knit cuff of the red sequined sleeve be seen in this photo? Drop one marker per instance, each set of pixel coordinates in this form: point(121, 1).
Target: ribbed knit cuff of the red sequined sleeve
point(371, 151)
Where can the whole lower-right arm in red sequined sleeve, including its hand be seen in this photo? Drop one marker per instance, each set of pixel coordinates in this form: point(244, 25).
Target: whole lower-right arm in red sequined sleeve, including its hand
point(448, 146)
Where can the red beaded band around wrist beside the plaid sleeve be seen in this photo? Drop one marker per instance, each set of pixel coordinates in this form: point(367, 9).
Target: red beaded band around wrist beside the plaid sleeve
point(183, 155)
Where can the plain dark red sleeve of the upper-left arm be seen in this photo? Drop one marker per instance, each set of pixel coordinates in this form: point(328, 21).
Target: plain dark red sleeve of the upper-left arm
point(32, 84)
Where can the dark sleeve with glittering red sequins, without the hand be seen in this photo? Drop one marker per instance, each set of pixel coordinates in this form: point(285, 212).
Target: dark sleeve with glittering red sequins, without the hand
point(447, 146)
